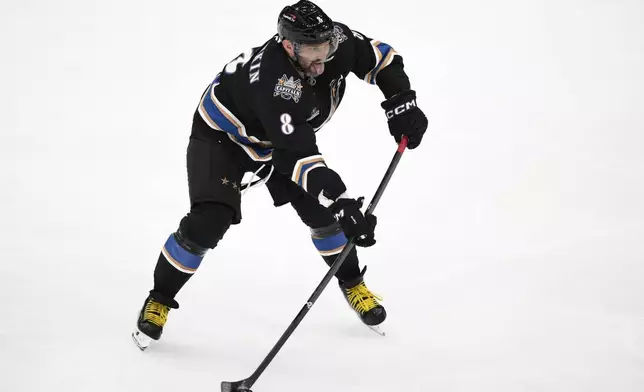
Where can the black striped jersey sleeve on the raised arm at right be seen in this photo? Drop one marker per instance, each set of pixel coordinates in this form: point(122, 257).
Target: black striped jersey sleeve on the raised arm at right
point(376, 62)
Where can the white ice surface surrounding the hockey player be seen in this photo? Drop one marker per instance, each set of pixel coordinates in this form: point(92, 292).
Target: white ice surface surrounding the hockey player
point(511, 243)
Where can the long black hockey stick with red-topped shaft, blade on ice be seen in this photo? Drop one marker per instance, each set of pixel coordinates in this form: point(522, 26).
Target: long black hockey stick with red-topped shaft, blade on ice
point(246, 384)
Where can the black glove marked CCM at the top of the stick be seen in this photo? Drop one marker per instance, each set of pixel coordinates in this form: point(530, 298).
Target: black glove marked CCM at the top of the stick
point(405, 118)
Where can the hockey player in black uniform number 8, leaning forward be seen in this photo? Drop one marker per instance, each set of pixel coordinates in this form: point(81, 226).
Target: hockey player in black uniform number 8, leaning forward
point(260, 114)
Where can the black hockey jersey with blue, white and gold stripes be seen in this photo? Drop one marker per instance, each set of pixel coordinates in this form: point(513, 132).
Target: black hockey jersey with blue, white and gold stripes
point(272, 112)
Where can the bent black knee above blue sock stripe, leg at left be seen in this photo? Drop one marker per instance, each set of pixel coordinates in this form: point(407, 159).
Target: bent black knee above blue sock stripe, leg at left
point(205, 225)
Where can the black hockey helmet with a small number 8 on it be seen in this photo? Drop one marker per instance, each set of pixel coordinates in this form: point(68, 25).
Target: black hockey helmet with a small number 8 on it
point(305, 23)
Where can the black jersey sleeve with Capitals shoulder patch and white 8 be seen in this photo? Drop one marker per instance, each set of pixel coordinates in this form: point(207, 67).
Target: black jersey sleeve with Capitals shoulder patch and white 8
point(282, 106)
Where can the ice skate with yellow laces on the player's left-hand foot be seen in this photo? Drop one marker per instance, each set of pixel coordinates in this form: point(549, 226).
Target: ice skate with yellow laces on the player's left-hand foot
point(152, 318)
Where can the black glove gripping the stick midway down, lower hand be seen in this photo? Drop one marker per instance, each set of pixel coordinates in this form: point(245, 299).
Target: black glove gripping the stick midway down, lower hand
point(354, 224)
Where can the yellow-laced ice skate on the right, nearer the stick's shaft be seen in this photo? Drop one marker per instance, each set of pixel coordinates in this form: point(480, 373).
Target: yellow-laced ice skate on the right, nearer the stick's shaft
point(364, 303)
